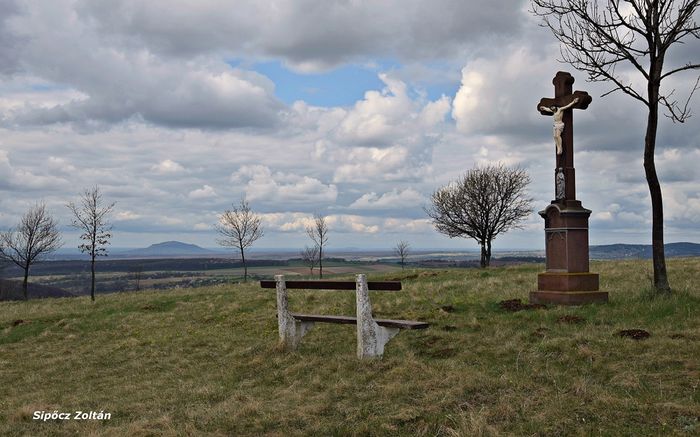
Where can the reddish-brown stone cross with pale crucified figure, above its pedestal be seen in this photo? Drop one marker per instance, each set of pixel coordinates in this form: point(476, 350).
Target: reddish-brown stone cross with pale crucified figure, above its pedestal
point(565, 99)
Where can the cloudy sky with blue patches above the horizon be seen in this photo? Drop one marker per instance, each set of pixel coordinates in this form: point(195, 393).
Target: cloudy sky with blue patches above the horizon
point(356, 110)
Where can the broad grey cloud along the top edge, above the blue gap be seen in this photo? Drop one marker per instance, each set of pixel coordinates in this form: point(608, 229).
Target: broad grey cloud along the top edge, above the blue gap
point(308, 35)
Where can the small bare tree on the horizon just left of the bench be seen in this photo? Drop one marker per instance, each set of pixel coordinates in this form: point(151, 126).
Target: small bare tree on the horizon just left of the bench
point(240, 227)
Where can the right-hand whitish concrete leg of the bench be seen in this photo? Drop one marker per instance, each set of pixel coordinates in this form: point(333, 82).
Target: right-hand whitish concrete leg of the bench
point(371, 338)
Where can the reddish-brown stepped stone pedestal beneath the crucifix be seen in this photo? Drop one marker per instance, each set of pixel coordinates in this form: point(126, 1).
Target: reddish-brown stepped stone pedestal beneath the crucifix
point(567, 280)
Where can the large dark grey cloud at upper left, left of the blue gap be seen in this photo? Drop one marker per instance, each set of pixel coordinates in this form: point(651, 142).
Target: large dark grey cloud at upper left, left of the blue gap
point(120, 82)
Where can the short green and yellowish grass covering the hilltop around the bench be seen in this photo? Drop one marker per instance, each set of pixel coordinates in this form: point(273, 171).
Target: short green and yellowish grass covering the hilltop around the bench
point(206, 362)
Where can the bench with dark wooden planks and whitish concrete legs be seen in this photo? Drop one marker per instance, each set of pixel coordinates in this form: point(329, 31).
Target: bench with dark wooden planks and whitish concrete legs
point(372, 334)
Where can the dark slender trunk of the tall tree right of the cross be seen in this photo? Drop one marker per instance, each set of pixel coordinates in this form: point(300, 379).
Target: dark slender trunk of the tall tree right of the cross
point(661, 285)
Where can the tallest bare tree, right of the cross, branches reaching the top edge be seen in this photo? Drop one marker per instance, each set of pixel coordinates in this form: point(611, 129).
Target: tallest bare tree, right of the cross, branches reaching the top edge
point(601, 38)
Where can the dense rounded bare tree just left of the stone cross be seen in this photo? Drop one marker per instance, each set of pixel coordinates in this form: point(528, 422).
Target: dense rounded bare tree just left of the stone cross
point(484, 203)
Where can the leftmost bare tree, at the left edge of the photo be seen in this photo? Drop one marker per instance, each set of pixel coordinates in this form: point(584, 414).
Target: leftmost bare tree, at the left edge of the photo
point(35, 236)
